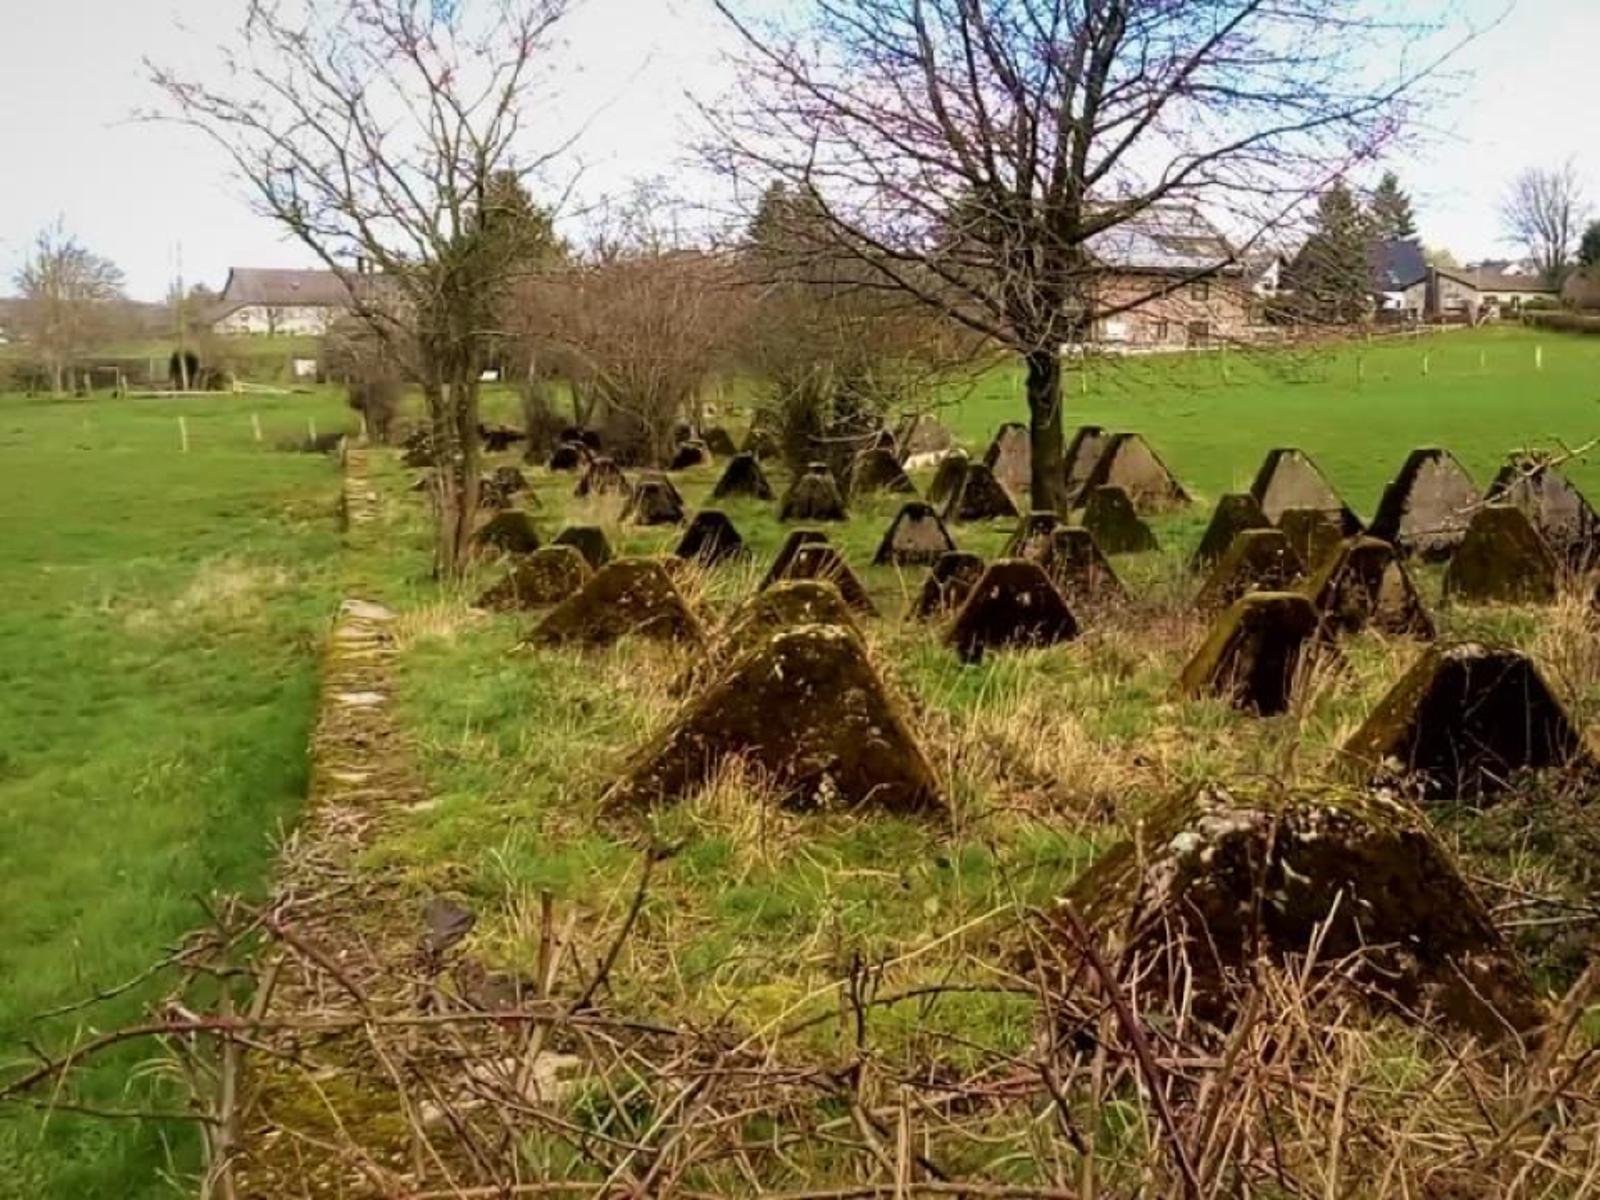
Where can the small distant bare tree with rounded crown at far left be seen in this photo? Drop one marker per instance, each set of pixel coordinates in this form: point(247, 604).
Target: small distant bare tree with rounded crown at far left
point(70, 300)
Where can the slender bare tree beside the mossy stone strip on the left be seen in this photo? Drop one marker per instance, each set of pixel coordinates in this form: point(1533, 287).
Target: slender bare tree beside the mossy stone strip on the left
point(386, 135)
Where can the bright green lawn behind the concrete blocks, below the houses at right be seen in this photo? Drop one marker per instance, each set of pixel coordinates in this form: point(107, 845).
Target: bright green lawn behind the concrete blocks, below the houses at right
point(1356, 410)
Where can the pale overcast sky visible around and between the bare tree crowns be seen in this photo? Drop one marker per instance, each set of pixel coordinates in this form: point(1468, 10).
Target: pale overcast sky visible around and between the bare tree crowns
point(140, 193)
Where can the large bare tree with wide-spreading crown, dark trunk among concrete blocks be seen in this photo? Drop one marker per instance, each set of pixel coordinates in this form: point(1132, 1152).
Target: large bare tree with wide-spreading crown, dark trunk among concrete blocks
point(978, 154)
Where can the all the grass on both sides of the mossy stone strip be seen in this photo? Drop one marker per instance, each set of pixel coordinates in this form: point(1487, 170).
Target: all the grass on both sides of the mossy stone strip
point(164, 657)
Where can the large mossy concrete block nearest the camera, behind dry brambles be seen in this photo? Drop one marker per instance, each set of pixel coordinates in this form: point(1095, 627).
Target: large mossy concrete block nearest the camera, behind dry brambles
point(1316, 881)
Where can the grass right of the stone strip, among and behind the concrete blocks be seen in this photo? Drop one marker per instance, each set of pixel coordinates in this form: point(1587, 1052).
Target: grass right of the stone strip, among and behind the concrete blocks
point(1049, 756)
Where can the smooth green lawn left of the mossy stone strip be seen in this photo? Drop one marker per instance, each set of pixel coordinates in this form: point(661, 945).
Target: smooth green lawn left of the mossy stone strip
point(159, 646)
